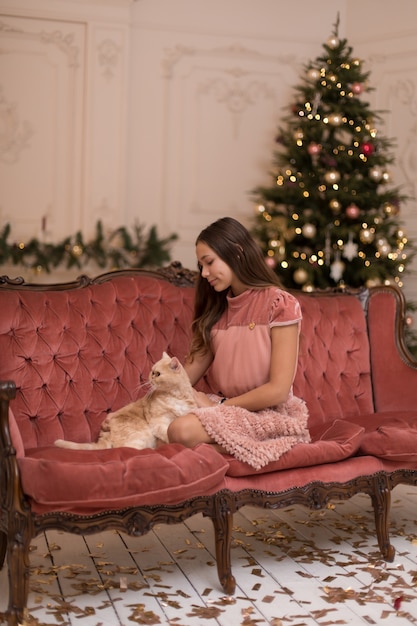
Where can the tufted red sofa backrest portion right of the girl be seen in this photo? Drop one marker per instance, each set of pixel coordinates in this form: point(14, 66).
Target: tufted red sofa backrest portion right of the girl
point(334, 372)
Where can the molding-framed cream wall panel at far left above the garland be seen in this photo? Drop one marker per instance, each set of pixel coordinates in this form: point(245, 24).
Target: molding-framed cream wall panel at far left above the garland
point(41, 110)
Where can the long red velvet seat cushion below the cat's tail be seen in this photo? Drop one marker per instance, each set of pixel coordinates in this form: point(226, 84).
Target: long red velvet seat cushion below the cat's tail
point(83, 481)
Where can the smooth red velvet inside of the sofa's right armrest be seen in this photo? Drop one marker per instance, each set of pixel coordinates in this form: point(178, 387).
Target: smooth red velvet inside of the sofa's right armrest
point(394, 371)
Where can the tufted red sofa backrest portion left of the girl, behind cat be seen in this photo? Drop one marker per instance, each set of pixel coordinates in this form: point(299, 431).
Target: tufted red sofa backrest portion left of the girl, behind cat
point(78, 354)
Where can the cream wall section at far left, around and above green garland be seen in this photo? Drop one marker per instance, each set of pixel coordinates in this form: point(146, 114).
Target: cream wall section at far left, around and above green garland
point(63, 117)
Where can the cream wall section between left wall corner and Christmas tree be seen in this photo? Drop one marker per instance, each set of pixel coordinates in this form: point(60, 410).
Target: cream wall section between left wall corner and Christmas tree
point(210, 81)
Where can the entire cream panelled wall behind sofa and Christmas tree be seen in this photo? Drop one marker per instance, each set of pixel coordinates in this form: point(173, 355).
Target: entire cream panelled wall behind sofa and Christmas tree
point(168, 113)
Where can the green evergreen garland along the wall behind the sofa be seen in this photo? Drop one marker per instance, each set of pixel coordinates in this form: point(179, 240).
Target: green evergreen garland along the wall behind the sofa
point(120, 249)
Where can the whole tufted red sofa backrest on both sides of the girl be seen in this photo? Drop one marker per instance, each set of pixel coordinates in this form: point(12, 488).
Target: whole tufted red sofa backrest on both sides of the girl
point(76, 354)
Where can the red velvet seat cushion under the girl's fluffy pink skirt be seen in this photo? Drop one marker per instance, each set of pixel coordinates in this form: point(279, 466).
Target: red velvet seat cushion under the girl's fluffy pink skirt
point(329, 443)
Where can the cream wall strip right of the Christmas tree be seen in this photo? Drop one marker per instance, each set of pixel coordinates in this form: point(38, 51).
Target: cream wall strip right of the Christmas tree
point(385, 36)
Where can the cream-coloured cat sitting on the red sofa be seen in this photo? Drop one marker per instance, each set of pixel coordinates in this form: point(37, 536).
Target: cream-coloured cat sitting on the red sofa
point(144, 423)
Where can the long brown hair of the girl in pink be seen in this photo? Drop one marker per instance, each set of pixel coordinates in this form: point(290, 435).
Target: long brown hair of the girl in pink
point(232, 242)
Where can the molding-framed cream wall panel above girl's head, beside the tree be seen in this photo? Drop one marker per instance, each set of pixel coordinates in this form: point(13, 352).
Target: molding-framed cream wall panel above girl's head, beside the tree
point(214, 99)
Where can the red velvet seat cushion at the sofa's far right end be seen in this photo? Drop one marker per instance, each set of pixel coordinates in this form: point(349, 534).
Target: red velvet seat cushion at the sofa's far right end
point(390, 435)
